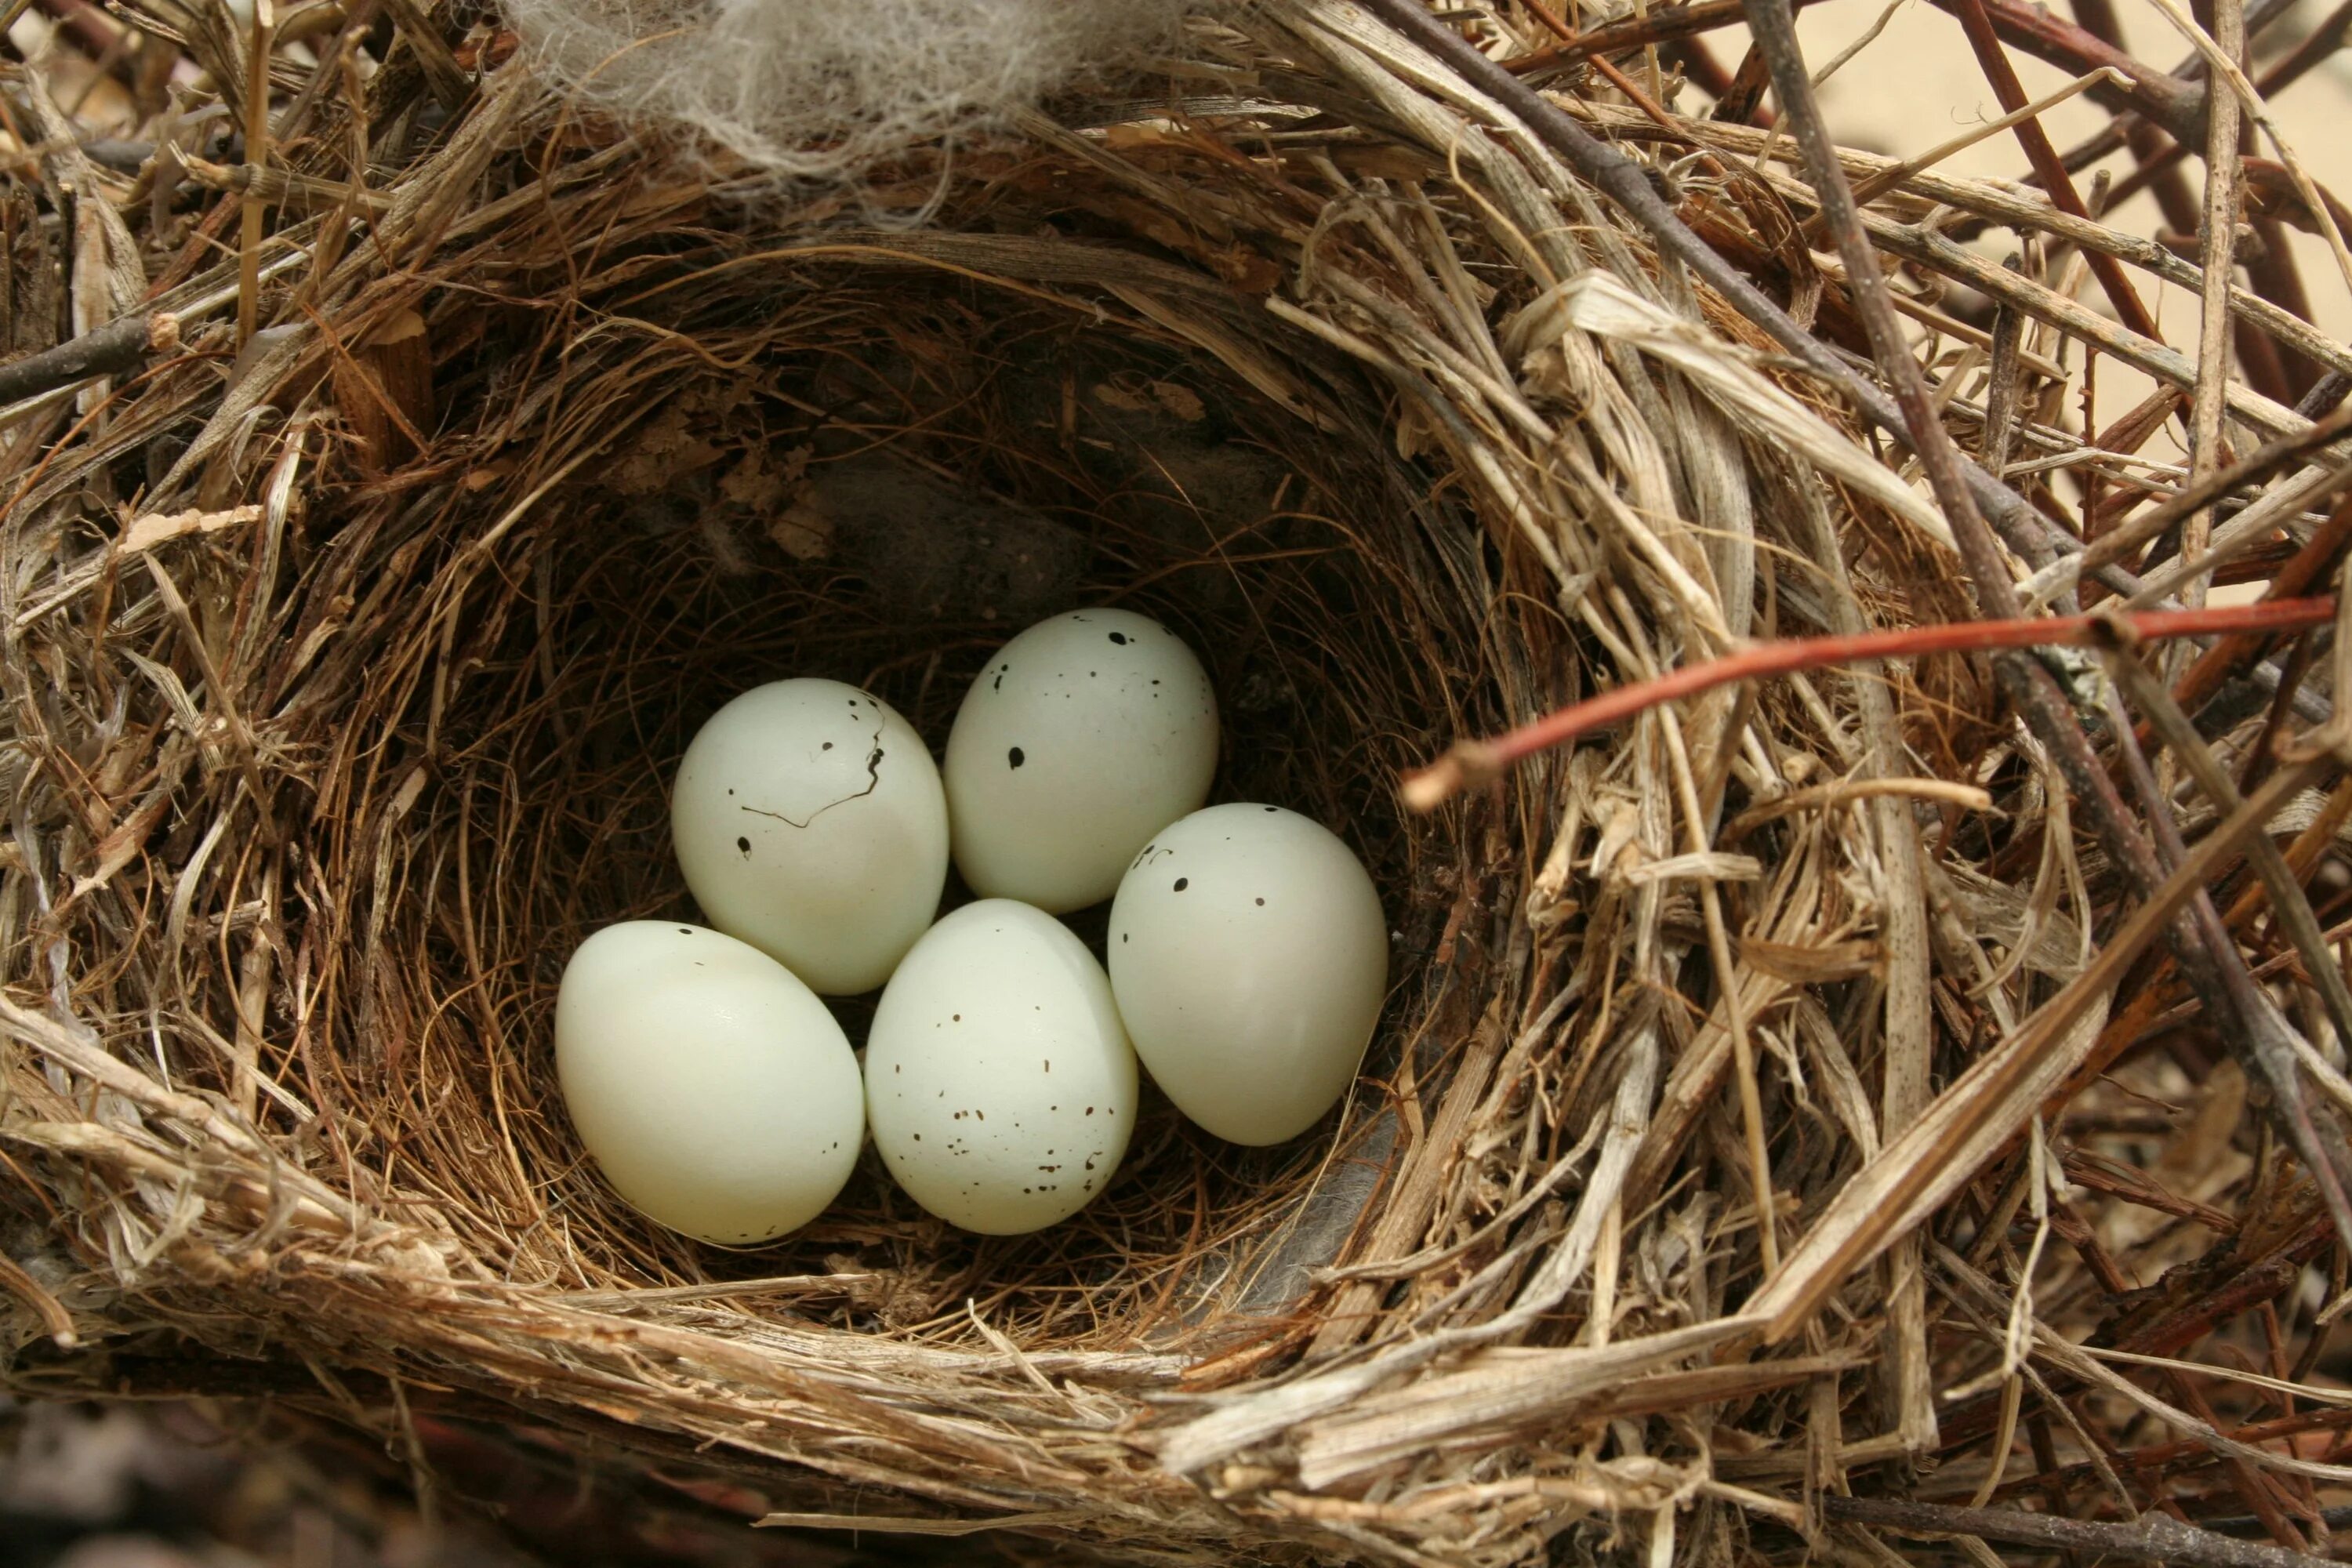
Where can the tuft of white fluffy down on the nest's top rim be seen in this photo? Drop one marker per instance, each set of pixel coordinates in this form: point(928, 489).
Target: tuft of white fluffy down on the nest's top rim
point(824, 88)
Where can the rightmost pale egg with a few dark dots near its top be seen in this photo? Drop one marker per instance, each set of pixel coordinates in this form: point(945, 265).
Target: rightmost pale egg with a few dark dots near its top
point(1250, 960)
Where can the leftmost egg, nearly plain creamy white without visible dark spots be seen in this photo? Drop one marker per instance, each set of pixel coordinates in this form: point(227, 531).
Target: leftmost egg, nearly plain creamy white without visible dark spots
point(711, 1087)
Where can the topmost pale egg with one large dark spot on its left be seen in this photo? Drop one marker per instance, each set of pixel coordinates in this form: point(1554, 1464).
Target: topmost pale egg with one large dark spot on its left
point(1083, 737)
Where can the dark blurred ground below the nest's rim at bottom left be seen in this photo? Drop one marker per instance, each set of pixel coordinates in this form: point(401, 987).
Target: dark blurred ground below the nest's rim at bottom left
point(258, 1485)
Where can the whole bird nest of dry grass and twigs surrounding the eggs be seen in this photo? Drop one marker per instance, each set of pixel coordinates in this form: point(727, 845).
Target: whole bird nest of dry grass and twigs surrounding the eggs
point(1793, 1101)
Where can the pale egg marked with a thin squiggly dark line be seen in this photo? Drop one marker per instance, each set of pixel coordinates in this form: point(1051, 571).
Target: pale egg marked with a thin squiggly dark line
point(810, 824)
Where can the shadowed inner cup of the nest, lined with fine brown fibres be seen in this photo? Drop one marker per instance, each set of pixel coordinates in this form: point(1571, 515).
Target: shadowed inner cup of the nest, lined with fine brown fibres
point(907, 469)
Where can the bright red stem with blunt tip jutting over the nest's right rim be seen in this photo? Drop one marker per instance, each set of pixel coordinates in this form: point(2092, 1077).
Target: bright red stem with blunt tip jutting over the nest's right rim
point(1483, 760)
